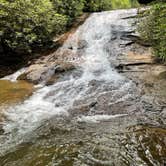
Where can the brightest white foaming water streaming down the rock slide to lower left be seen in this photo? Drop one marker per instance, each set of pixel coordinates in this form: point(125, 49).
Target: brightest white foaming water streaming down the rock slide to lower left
point(96, 32)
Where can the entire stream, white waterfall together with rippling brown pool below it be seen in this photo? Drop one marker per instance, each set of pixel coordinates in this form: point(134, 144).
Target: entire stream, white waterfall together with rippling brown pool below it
point(91, 116)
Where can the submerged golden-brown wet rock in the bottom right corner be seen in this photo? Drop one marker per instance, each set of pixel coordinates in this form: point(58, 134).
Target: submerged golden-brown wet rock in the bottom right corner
point(149, 142)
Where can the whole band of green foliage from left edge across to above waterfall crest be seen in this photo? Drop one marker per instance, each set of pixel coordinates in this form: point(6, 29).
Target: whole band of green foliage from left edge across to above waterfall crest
point(29, 24)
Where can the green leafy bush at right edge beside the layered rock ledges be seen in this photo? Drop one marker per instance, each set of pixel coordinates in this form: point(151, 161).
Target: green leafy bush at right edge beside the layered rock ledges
point(153, 29)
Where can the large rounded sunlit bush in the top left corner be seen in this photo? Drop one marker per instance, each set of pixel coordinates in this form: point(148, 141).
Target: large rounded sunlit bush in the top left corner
point(25, 23)
